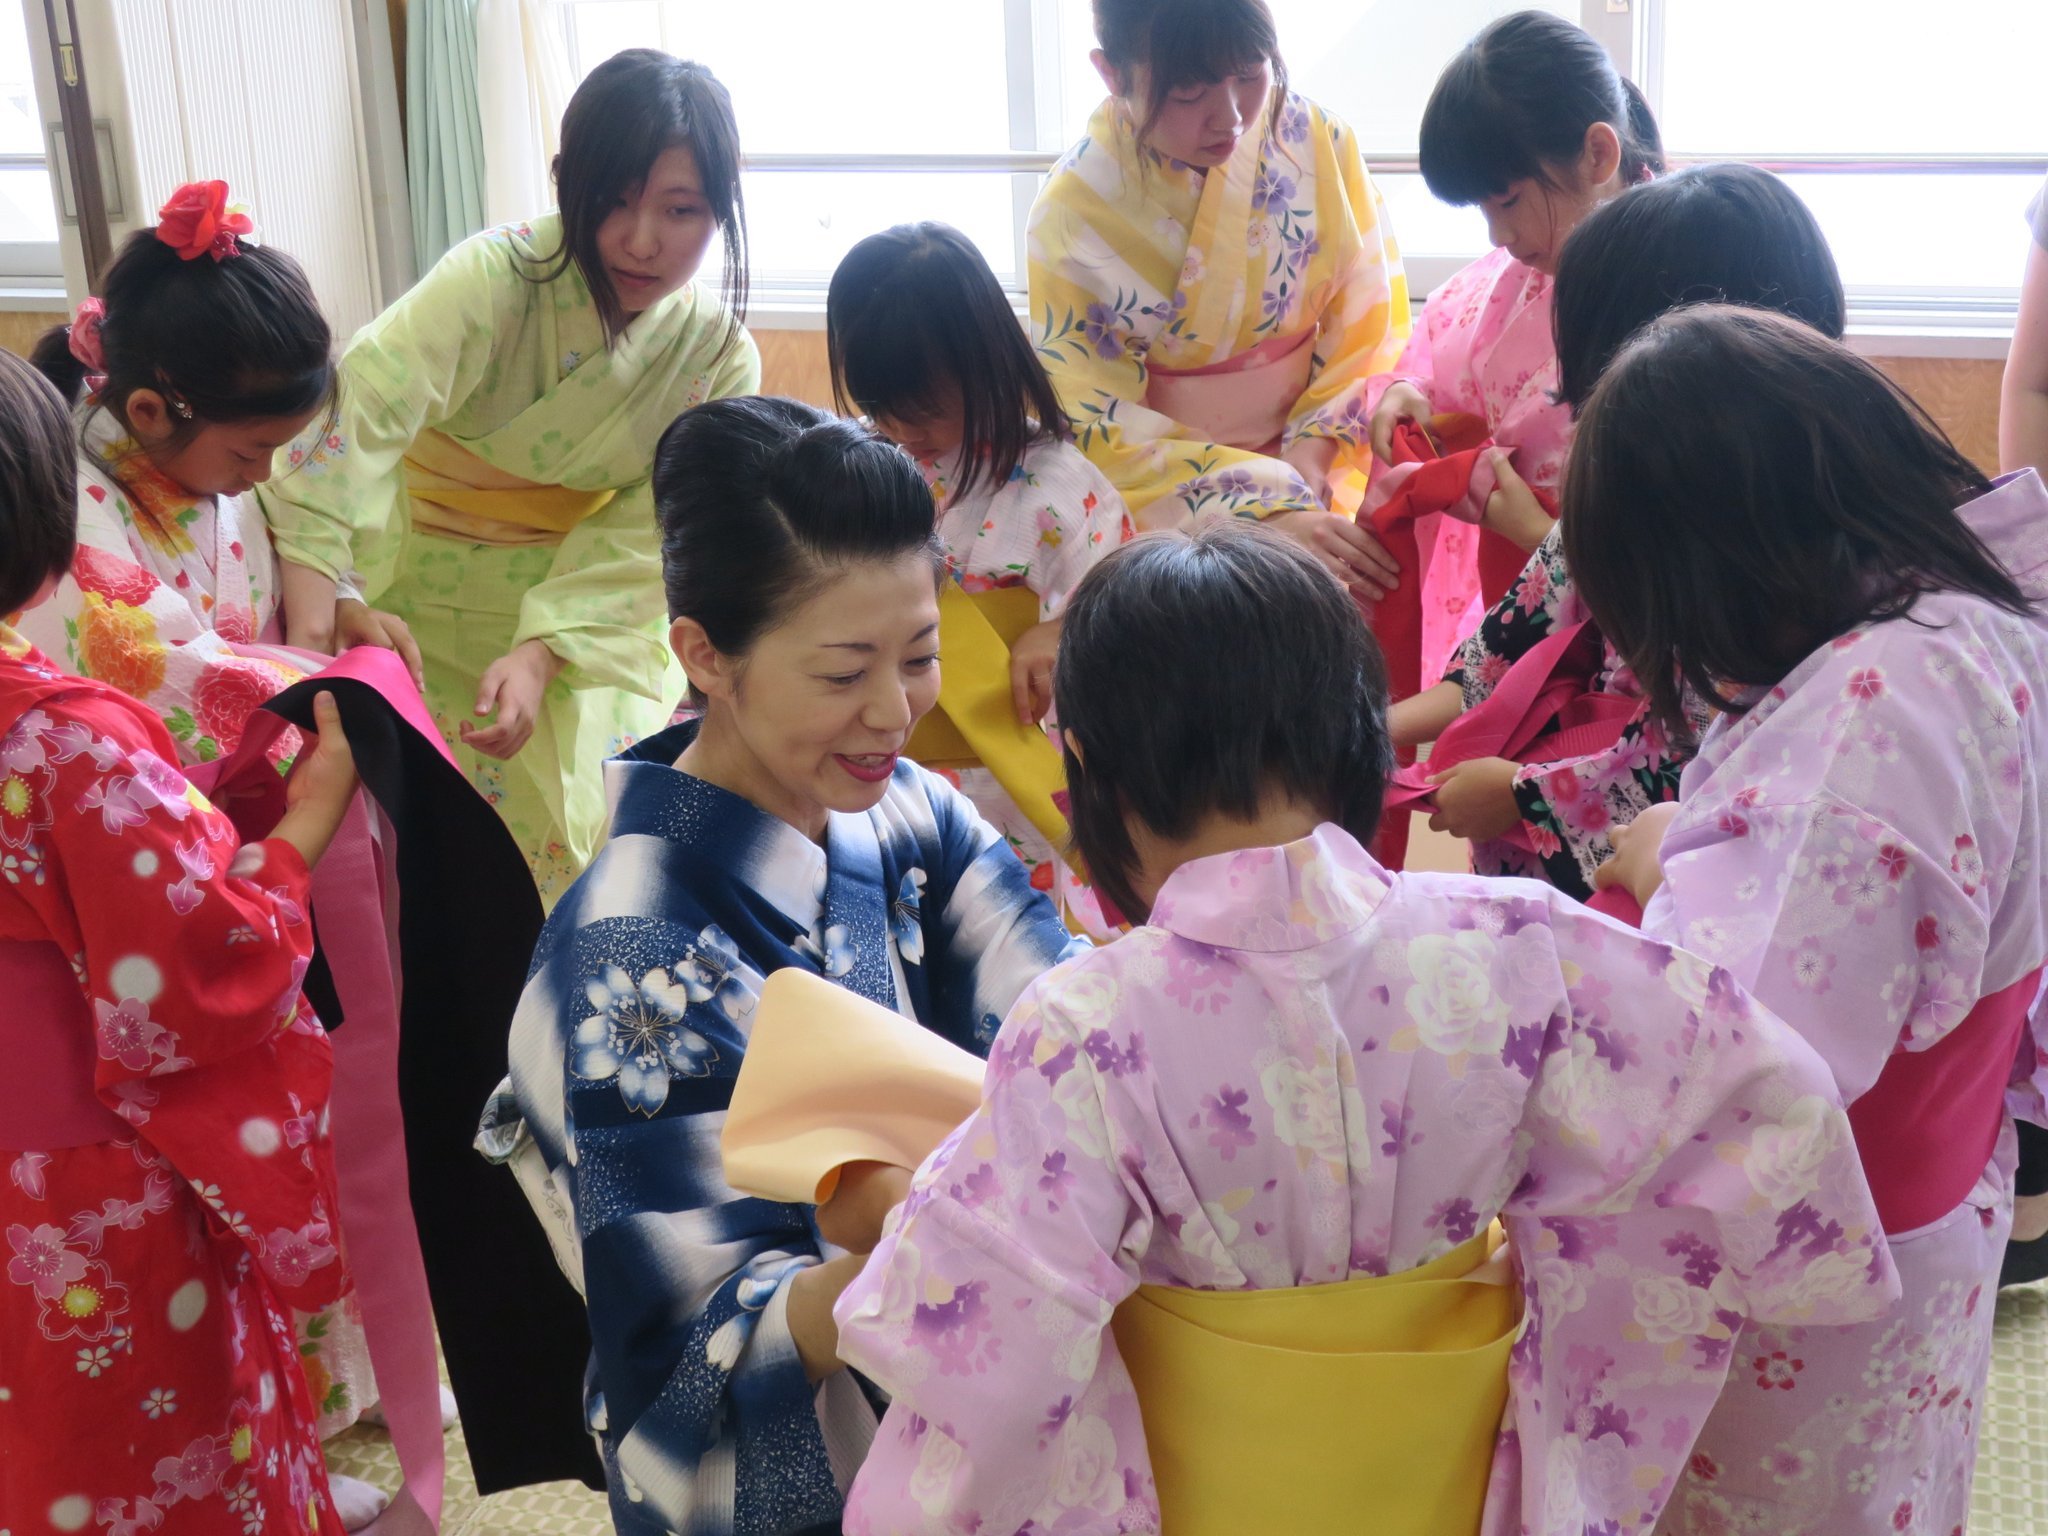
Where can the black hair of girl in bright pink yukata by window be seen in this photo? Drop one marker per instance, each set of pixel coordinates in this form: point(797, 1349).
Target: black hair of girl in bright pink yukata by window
point(1517, 103)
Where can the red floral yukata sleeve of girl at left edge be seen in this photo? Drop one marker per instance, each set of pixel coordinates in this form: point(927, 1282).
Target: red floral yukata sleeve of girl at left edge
point(189, 951)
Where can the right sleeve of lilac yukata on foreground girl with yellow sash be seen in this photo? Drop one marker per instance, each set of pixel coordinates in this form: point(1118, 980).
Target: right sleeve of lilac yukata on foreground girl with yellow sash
point(1689, 1166)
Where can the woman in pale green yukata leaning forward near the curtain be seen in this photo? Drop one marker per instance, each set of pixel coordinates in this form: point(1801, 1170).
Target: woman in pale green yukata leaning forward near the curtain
point(488, 476)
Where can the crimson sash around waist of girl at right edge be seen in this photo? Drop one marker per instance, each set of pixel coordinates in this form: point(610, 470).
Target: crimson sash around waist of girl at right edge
point(1928, 1125)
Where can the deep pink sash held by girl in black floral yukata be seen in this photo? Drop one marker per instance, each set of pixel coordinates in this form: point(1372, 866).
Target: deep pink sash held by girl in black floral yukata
point(1543, 712)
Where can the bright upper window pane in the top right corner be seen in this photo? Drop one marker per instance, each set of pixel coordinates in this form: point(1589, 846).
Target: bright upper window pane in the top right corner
point(1881, 77)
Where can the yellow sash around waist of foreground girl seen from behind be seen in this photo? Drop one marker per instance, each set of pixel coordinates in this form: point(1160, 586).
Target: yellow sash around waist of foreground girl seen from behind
point(1359, 1406)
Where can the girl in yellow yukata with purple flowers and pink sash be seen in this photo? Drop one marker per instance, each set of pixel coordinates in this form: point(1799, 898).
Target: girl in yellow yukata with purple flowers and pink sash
point(1213, 282)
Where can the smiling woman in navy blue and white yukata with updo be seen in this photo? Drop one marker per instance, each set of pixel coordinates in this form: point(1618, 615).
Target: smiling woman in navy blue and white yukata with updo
point(779, 828)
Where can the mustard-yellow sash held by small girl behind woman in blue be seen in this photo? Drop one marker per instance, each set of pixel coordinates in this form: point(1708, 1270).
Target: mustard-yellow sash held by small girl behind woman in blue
point(976, 722)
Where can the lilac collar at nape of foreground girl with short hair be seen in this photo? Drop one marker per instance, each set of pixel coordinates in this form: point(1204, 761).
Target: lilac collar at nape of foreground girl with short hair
point(1275, 900)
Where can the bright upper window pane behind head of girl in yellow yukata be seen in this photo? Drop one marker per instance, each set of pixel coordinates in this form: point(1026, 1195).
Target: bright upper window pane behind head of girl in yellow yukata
point(1371, 62)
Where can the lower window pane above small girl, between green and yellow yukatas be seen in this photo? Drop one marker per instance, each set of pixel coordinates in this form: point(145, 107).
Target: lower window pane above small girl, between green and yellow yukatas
point(802, 224)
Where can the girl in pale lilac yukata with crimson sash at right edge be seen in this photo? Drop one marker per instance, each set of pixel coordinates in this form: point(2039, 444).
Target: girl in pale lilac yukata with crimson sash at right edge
point(1859, 841)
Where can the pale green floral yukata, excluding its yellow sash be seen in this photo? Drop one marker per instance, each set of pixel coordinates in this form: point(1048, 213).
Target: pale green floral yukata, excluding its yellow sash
point(519, 376)
